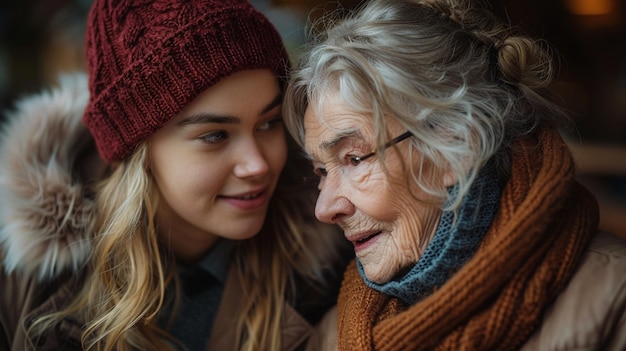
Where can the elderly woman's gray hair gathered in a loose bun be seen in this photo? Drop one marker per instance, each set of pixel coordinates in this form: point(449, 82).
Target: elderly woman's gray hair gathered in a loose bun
point(452, 74)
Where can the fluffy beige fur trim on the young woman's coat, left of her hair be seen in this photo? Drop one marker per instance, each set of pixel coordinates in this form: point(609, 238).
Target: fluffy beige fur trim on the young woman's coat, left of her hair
point(45, 212)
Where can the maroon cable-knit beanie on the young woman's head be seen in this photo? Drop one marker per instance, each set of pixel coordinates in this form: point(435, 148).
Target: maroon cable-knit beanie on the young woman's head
point(147, 60)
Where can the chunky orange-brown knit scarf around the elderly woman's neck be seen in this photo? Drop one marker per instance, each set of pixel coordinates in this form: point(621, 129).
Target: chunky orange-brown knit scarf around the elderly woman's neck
point(497, 299)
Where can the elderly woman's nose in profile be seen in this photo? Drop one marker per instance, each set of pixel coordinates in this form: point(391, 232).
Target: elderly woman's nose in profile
point(332, 206)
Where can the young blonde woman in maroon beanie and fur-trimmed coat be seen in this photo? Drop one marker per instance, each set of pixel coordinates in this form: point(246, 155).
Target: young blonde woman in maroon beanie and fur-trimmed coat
point(191, 227)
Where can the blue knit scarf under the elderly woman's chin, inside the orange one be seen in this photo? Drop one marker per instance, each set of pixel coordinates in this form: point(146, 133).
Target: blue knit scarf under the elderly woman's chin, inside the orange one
point(451, 247)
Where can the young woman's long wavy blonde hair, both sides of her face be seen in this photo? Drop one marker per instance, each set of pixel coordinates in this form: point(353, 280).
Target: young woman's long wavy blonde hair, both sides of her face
point(129, 269)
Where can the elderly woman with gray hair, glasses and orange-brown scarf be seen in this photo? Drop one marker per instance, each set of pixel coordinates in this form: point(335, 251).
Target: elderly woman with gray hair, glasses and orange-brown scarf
point(429, 126)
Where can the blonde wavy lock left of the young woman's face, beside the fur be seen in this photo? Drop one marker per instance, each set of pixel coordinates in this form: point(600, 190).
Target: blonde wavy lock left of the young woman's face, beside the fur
point(125, 284)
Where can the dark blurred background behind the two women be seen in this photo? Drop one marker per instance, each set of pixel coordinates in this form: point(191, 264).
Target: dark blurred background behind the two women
point(41, 38)
